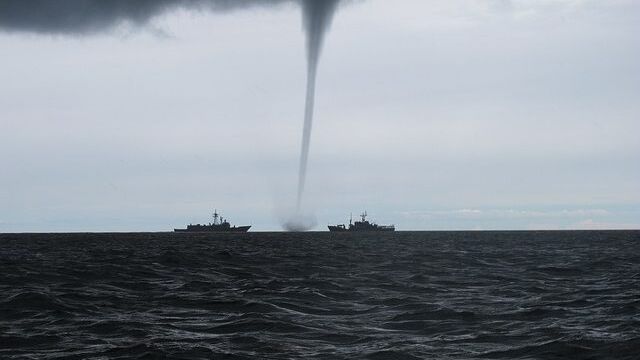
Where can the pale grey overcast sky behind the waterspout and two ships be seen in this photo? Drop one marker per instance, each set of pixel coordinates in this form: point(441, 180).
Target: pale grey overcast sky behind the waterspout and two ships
point(456, 114)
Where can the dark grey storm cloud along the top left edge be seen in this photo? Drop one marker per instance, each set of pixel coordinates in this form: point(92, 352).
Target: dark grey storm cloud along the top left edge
point(92, 16)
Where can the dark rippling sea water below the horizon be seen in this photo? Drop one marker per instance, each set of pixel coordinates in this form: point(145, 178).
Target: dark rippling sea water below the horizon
point(413, 295)
